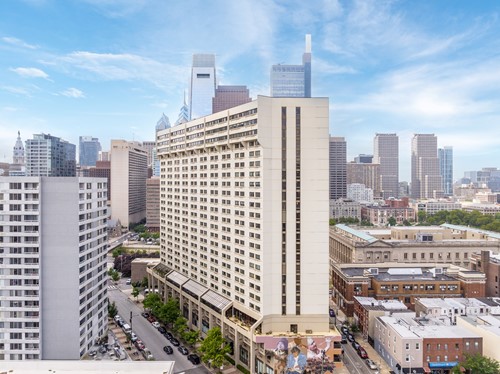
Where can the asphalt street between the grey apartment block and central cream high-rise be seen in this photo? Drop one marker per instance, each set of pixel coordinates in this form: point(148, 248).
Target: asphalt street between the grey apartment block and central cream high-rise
point(153, 340)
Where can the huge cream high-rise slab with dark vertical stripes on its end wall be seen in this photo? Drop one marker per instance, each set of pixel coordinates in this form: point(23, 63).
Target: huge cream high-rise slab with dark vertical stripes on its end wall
point(244, 224)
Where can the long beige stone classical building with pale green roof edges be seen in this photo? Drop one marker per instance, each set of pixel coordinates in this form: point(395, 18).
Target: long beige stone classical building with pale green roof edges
point(410, 244)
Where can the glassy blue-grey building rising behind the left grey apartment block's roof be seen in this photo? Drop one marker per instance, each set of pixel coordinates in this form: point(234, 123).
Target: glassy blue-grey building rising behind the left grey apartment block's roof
point(49, 156)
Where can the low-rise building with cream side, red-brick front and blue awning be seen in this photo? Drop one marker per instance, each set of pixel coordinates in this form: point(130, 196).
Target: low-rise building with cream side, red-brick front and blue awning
point(409, 344)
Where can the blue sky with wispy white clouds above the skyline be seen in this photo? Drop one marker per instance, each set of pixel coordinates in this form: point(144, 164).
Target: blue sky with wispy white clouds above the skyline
point(110, 68)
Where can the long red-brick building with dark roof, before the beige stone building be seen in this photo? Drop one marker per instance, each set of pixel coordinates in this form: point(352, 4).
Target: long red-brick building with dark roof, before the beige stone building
point(404, 282)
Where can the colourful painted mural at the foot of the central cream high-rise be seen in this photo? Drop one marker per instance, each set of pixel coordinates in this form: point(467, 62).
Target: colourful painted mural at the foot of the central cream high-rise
point(300, 355)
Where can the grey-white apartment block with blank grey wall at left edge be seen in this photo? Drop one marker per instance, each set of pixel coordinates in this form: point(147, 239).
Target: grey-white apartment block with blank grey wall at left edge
point(53, 267)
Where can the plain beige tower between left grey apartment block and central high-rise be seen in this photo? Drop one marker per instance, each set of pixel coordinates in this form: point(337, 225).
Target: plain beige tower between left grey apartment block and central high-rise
point(129, 171)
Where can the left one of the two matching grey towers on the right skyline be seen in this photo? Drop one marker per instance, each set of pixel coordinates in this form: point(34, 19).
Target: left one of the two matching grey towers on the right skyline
point(386, 153)
